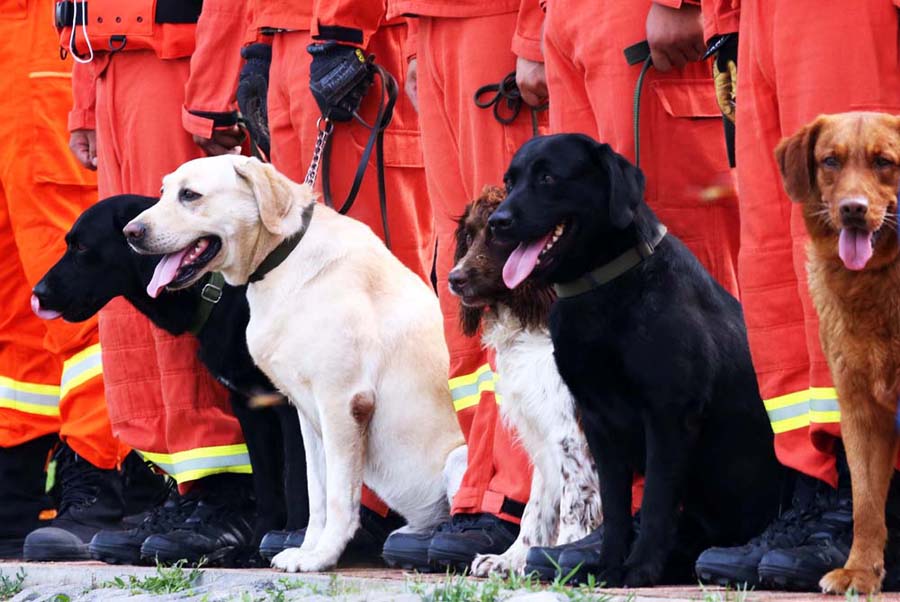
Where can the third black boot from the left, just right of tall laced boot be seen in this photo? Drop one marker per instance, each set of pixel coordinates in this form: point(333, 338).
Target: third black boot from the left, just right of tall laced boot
point(124, 546)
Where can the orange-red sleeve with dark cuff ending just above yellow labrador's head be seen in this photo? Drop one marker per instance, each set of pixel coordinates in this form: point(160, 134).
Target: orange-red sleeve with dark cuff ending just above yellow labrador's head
point(209, 97)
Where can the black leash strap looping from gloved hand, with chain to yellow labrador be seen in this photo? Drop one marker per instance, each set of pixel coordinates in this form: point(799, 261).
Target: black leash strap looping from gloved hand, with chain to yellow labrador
point(389, 92)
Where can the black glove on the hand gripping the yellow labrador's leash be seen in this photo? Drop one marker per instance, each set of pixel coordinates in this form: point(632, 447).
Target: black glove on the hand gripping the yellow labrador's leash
point(339, 78)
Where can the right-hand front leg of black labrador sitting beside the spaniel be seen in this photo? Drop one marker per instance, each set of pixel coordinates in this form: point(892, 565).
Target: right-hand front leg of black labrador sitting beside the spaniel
point(668, 447)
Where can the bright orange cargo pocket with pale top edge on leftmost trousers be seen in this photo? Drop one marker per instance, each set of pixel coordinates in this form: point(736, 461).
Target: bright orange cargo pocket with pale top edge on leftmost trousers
point(51, 100)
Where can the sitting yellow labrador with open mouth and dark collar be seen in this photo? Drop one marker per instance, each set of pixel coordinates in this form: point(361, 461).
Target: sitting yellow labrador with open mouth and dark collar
point(348, 333)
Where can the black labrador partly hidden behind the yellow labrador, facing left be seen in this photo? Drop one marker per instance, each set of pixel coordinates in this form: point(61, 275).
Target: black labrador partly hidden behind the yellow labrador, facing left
point(98, 265)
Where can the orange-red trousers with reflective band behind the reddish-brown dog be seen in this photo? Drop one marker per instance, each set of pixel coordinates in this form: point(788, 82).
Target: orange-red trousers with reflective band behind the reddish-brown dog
point(798, 59)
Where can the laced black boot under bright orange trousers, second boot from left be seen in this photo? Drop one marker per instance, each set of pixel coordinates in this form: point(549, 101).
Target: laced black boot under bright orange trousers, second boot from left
point(90, 500)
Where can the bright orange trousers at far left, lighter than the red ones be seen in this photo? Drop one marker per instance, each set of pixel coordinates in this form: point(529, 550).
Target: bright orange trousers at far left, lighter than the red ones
point(51, 375)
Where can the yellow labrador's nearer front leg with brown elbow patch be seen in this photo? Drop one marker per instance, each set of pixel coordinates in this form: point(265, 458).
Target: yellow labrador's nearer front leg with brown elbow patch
point(344, 444)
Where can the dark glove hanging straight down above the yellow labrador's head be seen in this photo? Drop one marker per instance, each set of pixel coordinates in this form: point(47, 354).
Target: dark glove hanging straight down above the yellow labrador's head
point(253, 87)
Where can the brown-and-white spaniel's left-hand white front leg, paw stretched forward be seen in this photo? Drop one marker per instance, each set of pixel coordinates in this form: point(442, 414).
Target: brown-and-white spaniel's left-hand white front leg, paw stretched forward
point(537, 529)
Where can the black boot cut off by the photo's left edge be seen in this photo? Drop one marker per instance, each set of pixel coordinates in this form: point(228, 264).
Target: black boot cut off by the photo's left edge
point(23, 498)
